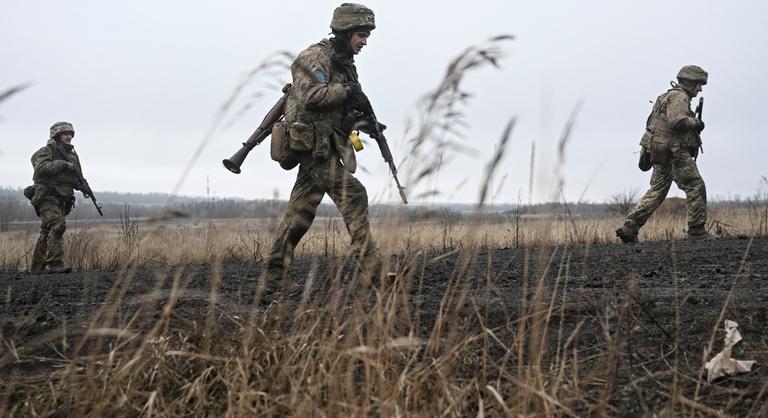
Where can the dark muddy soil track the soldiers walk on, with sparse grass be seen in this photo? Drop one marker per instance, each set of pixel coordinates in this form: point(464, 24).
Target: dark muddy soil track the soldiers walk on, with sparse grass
point(637, 319)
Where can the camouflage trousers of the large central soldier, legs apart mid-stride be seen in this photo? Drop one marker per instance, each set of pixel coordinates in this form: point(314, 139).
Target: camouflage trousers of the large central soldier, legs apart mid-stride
point(312, 183)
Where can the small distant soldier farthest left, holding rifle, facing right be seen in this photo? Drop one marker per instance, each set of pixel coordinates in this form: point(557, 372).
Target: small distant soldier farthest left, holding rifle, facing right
point(57, 174)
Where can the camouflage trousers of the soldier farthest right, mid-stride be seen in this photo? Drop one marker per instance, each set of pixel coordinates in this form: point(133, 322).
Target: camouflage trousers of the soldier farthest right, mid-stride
point(683, 171)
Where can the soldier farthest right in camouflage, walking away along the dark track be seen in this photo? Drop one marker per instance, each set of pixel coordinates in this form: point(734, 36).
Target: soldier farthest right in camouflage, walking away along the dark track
point(672, 142)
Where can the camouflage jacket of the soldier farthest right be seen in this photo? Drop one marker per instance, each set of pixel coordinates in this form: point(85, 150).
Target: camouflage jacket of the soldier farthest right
point(671, 120)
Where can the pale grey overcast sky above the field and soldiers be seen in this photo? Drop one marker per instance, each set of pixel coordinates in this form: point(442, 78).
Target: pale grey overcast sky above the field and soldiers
point(142, 81)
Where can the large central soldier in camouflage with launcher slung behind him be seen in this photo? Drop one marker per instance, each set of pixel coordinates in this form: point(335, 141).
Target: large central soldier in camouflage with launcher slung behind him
point(320, 114)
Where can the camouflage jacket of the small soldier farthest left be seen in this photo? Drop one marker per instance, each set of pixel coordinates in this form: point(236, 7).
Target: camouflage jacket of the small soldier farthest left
point(49, 163)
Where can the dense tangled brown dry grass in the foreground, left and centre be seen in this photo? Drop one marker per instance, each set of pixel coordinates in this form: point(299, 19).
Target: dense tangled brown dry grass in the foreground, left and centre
point(356, 356)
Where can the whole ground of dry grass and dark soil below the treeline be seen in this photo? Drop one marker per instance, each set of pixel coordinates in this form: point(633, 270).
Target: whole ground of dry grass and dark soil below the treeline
point(529, 317)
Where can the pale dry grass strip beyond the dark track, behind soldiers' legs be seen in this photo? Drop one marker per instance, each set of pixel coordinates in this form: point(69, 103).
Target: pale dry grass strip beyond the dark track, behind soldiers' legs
point(112, 246)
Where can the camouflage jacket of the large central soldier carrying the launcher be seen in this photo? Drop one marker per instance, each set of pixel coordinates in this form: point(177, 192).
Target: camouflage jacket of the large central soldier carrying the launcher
point(317, 114)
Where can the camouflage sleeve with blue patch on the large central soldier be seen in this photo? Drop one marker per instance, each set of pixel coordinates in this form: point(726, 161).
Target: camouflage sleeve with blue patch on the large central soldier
point(311, 76)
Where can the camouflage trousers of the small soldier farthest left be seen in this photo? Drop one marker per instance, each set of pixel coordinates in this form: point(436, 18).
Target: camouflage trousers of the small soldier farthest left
point(49, 249)
